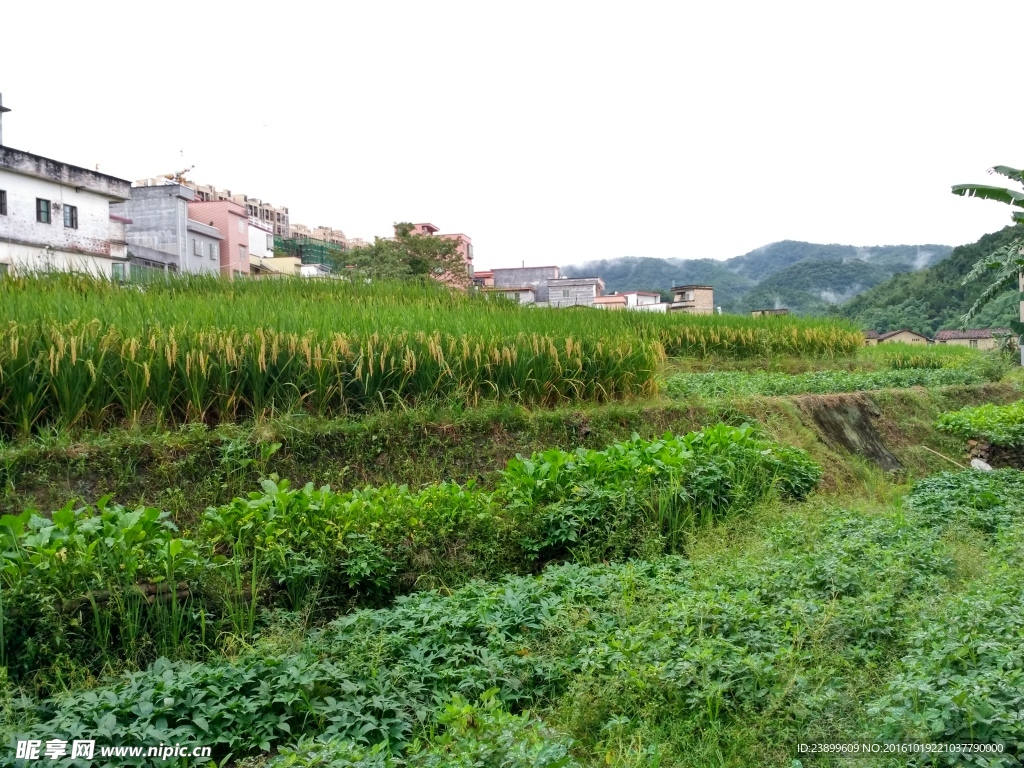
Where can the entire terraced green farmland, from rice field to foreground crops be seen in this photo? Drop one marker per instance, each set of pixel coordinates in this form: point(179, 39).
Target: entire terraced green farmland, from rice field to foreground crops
point(393, 526)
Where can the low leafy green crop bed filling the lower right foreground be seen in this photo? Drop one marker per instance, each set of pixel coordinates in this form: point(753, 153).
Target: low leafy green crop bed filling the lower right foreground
point(782, 637)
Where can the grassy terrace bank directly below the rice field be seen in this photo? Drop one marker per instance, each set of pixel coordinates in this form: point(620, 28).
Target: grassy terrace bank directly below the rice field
point(185, 472)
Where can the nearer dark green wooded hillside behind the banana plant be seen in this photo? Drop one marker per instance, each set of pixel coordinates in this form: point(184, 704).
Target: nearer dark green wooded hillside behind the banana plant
point(934, 300)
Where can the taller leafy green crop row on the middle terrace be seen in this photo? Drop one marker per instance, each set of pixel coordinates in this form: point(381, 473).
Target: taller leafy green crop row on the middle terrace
point(94, 585)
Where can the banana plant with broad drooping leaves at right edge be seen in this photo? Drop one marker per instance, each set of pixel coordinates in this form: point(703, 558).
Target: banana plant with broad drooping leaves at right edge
point(1007, 262)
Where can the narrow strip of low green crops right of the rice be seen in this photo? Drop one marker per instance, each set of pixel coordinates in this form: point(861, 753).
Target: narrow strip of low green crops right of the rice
point(729, 383)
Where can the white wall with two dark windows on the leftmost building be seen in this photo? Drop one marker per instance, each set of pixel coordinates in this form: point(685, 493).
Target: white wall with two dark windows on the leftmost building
point(23, 240)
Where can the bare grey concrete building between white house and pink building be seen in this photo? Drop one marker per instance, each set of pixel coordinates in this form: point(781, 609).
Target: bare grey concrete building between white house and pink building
point(161, 235)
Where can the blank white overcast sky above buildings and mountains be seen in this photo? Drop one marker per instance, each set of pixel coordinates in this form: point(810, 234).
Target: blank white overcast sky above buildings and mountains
point(549, 133)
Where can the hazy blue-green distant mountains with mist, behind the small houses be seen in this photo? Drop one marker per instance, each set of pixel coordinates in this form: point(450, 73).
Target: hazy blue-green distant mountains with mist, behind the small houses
point(806, 278)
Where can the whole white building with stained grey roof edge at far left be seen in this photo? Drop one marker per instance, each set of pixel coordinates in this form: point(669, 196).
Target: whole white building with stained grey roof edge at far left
point(58, 217)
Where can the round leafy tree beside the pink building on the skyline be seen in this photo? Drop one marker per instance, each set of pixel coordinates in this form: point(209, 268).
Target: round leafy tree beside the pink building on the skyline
point(410, 255)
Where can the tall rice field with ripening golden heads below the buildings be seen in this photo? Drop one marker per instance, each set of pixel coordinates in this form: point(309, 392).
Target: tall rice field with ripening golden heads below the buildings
point(80, 353)
